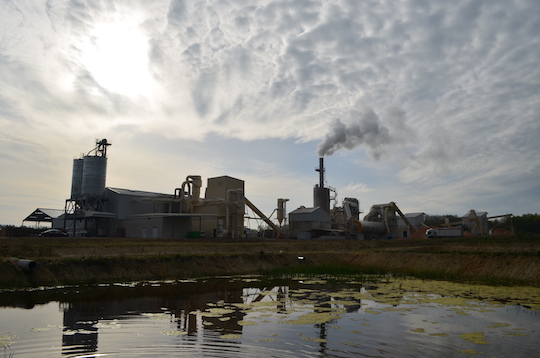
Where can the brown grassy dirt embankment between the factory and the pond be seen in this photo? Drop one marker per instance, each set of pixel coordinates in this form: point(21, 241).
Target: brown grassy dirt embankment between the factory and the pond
point(501, 260)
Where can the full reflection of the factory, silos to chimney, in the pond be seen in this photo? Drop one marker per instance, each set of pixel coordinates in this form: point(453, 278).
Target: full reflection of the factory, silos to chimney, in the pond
point(196, 314)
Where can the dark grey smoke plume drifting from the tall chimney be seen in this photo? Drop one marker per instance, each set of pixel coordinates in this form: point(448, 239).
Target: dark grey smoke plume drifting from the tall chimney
point(367, 130)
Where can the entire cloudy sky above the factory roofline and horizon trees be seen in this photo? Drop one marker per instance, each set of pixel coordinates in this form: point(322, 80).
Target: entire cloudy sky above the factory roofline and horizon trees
point(434, 105)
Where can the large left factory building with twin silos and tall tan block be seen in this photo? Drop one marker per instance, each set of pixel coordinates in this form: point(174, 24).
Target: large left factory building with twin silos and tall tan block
point(96, 210)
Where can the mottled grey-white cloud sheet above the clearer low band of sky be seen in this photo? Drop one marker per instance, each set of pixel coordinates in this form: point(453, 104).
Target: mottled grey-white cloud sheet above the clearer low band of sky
point(446, 90)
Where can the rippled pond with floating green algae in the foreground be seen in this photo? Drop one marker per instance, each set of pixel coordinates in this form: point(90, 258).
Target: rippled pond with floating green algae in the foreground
point(292, 316)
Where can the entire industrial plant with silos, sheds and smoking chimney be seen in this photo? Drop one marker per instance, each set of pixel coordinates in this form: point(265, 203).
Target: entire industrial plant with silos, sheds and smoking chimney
point(96, 210)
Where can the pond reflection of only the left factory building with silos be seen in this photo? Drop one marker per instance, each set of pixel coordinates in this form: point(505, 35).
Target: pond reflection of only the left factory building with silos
point(83, 321)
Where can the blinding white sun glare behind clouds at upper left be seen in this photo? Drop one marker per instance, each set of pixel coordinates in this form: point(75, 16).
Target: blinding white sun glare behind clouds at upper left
point(116, 55)
